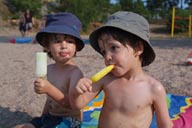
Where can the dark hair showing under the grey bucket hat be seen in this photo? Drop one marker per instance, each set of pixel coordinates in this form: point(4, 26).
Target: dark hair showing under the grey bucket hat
point(124, 38)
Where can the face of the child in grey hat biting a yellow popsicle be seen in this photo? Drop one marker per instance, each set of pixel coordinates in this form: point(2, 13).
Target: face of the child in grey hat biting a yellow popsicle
point(114, 52)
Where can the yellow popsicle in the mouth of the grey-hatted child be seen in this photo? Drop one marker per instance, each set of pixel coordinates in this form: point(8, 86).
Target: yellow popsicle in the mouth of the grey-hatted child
point(102, 73)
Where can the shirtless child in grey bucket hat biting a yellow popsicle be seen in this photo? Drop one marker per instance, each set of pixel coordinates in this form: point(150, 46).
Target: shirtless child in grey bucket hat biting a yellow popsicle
point(131, 96)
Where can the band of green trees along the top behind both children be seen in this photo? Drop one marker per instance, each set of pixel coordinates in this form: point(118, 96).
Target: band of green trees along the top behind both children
point(91, 12)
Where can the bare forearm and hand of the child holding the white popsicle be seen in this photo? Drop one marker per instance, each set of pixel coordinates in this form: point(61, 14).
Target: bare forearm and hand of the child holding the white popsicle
point(42, 86)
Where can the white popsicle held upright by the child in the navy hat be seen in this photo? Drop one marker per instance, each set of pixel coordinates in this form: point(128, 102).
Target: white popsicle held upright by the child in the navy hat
point(41, 64)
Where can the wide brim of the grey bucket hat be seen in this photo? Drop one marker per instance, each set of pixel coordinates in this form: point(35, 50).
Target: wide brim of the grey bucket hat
point(149, 54)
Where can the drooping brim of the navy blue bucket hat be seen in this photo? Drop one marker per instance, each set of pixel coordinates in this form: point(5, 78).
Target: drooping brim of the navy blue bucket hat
point(61, 29)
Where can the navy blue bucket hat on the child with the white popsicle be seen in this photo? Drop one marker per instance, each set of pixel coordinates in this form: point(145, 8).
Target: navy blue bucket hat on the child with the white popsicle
point(62, 23)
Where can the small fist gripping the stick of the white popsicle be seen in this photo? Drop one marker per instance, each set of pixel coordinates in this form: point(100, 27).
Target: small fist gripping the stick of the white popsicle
point(41, 86)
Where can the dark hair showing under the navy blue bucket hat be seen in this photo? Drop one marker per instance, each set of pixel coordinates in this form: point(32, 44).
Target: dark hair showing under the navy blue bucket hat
point(48, 38)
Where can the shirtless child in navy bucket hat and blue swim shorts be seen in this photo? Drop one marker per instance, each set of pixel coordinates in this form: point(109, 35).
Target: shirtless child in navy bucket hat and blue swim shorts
point(61, 40)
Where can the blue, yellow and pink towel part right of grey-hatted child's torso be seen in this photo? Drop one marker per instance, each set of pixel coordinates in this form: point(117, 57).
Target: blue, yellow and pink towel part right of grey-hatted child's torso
point(180, 111)
